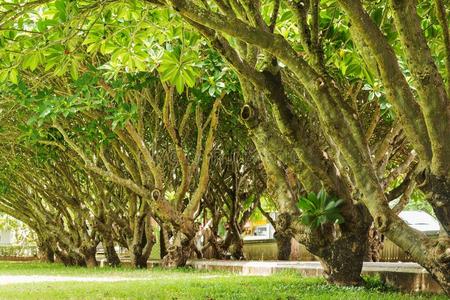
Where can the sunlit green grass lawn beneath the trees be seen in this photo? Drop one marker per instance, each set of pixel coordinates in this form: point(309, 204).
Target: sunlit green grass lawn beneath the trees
point(174, 284)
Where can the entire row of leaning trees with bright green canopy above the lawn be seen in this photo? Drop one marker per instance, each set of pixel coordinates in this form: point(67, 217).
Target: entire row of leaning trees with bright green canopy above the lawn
point(115, 113)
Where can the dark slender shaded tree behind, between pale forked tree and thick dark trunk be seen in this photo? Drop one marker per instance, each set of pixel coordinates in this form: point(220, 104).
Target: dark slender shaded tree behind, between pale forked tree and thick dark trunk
point(237, 183)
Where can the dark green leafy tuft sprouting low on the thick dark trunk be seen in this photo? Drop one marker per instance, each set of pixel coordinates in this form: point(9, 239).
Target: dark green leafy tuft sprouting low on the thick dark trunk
point(318, 209)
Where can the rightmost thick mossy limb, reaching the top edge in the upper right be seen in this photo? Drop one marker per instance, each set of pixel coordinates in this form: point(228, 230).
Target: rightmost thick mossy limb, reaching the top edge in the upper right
point(430, 87)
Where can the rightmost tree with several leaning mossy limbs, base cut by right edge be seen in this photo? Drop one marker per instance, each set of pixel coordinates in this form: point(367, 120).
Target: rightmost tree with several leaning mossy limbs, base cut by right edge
point(425, 122)
